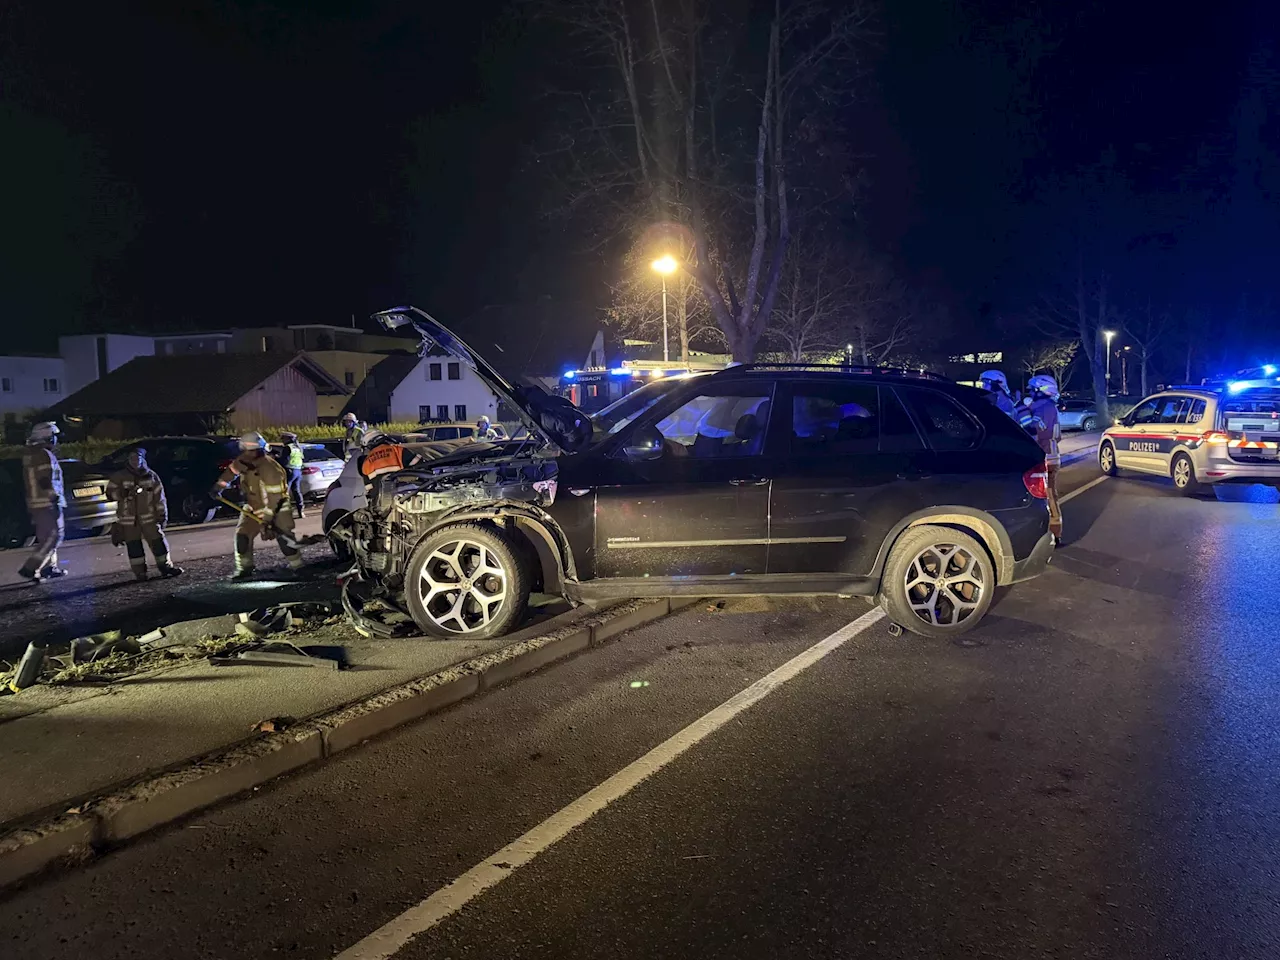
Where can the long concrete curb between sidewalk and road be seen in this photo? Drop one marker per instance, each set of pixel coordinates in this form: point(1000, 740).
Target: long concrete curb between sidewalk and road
point(203, 781)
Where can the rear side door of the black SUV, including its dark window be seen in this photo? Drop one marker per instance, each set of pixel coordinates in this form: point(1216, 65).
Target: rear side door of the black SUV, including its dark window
point(852, 451)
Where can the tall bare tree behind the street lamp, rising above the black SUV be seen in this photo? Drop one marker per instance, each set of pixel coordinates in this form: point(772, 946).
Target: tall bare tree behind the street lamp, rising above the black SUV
point(689, 122)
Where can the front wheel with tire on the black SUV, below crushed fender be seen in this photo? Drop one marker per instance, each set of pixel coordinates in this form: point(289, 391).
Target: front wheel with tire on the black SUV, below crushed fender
point(491, 605)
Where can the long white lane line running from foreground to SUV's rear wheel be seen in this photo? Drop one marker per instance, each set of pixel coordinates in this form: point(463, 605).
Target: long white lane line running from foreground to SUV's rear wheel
point(392, 938)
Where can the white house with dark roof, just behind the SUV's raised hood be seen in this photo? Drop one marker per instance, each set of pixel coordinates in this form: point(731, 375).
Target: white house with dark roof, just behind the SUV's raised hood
point(435, 387)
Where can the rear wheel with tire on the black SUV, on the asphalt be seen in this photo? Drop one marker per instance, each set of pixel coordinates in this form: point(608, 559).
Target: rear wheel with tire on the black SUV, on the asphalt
point(913, 592)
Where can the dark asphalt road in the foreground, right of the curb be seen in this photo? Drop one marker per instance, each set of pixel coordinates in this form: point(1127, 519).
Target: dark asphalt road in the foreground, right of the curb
point(1092, 774)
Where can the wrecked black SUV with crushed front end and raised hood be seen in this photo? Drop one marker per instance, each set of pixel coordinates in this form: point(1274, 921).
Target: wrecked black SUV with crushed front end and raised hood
point(757, 479)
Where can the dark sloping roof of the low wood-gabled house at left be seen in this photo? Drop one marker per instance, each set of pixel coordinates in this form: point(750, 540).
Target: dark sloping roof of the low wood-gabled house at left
point(194, 383)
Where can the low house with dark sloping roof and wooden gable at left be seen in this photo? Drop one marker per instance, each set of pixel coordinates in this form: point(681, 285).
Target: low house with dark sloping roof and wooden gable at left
point(200, 394)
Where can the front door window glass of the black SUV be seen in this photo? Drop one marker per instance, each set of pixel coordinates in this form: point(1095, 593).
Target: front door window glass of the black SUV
point(707, 427)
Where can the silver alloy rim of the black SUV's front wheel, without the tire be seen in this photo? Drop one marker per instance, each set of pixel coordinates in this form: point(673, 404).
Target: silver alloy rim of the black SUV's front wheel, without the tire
point(463, 587)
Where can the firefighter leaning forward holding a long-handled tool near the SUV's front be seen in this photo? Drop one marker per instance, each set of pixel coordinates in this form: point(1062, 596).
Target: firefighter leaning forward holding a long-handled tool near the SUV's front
point(267, 501)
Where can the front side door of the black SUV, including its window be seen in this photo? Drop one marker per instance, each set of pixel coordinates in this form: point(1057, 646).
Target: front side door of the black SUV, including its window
point(687, 491)
